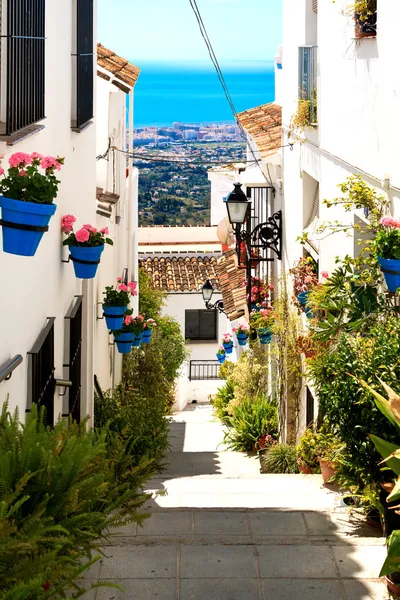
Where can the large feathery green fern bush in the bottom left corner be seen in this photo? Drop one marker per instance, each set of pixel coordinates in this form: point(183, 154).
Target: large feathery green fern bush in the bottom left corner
point(61, 492)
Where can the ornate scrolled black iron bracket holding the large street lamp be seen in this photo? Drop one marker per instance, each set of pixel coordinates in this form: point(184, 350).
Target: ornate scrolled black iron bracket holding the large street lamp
point(265, 236)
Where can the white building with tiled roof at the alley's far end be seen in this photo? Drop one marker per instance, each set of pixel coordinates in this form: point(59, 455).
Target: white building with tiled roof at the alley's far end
point(180, 260)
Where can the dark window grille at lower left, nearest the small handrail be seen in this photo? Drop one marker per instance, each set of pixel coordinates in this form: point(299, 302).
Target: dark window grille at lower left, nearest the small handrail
point(41, 382)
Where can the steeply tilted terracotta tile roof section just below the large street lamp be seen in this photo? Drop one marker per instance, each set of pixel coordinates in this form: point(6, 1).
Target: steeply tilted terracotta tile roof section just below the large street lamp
point(231, 283)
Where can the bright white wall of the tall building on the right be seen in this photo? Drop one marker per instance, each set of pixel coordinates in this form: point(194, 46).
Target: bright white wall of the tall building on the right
point(358, 87)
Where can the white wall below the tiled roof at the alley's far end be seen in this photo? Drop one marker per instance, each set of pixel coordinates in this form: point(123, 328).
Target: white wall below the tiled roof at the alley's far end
point(187, 391)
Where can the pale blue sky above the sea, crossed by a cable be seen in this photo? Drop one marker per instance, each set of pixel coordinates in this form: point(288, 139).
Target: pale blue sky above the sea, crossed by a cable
point(166, 30)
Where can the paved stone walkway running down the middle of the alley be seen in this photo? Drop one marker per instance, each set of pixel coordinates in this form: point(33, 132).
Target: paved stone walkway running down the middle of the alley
point(223, 531)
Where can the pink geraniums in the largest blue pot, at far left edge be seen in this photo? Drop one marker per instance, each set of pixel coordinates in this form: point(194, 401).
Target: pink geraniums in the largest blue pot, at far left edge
point(26, 201)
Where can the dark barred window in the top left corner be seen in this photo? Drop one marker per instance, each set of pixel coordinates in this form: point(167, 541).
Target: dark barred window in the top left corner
point(22, 64)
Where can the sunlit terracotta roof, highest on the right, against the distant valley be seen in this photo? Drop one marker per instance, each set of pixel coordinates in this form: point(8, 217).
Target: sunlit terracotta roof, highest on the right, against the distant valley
point(264, 124)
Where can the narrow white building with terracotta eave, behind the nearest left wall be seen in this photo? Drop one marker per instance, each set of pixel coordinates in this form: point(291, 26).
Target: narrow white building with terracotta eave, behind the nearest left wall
point(117, 196)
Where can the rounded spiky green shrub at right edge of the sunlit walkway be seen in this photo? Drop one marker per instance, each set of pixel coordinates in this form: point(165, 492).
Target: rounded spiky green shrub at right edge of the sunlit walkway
point(251, 419)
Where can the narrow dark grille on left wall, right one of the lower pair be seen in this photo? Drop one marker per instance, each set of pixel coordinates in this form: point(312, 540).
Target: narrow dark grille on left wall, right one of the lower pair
point(74, 316)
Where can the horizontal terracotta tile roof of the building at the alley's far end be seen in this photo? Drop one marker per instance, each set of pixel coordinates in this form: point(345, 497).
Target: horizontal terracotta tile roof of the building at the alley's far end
point(180, 273)
